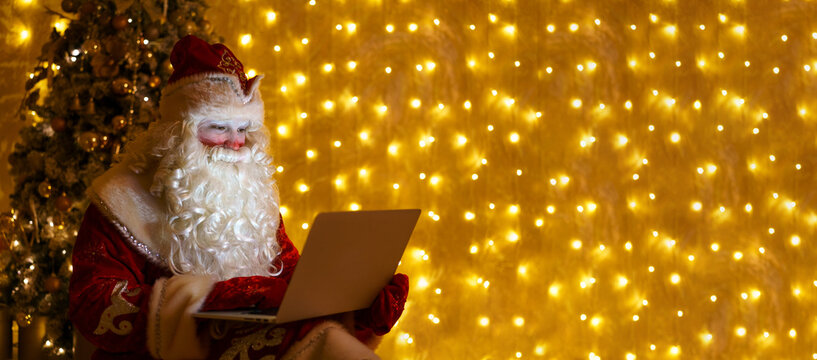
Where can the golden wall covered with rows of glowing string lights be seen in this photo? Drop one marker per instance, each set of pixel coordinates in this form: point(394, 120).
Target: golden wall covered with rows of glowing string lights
point(598, 178)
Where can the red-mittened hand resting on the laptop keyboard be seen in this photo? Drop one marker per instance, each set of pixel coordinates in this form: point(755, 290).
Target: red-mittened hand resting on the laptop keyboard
point(262, 292)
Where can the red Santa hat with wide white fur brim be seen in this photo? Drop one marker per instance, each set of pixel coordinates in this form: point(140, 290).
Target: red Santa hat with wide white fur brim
point(208, 82)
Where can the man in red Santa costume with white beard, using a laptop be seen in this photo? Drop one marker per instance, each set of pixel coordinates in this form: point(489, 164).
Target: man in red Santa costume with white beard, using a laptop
point(189, 220)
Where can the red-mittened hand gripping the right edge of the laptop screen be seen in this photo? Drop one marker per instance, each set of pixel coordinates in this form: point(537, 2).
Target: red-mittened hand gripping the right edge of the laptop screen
point(386, 308)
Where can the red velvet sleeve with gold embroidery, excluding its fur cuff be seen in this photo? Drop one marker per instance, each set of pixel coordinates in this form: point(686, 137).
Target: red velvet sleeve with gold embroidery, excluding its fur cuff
point(109, 295)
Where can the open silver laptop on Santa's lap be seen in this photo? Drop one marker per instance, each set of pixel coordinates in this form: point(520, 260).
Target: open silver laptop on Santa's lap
point(347, 259)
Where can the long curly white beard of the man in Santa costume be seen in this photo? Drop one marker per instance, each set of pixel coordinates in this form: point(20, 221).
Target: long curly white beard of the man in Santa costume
point(222, 211)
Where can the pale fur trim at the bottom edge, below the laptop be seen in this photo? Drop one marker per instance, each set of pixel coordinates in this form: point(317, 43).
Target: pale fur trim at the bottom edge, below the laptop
point(329, 340)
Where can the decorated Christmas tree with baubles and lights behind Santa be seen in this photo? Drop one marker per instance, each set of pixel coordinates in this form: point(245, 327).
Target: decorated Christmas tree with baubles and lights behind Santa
point(96, 86)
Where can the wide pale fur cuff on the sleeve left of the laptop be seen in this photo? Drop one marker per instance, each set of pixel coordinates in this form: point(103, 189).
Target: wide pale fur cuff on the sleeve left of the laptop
point(171, 328)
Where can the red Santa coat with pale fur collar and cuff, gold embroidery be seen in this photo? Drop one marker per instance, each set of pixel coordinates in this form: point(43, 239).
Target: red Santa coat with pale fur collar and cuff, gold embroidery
point(119, 285)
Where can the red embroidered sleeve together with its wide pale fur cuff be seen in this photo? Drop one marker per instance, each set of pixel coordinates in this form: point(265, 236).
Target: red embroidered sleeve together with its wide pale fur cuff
point(118, 307)
